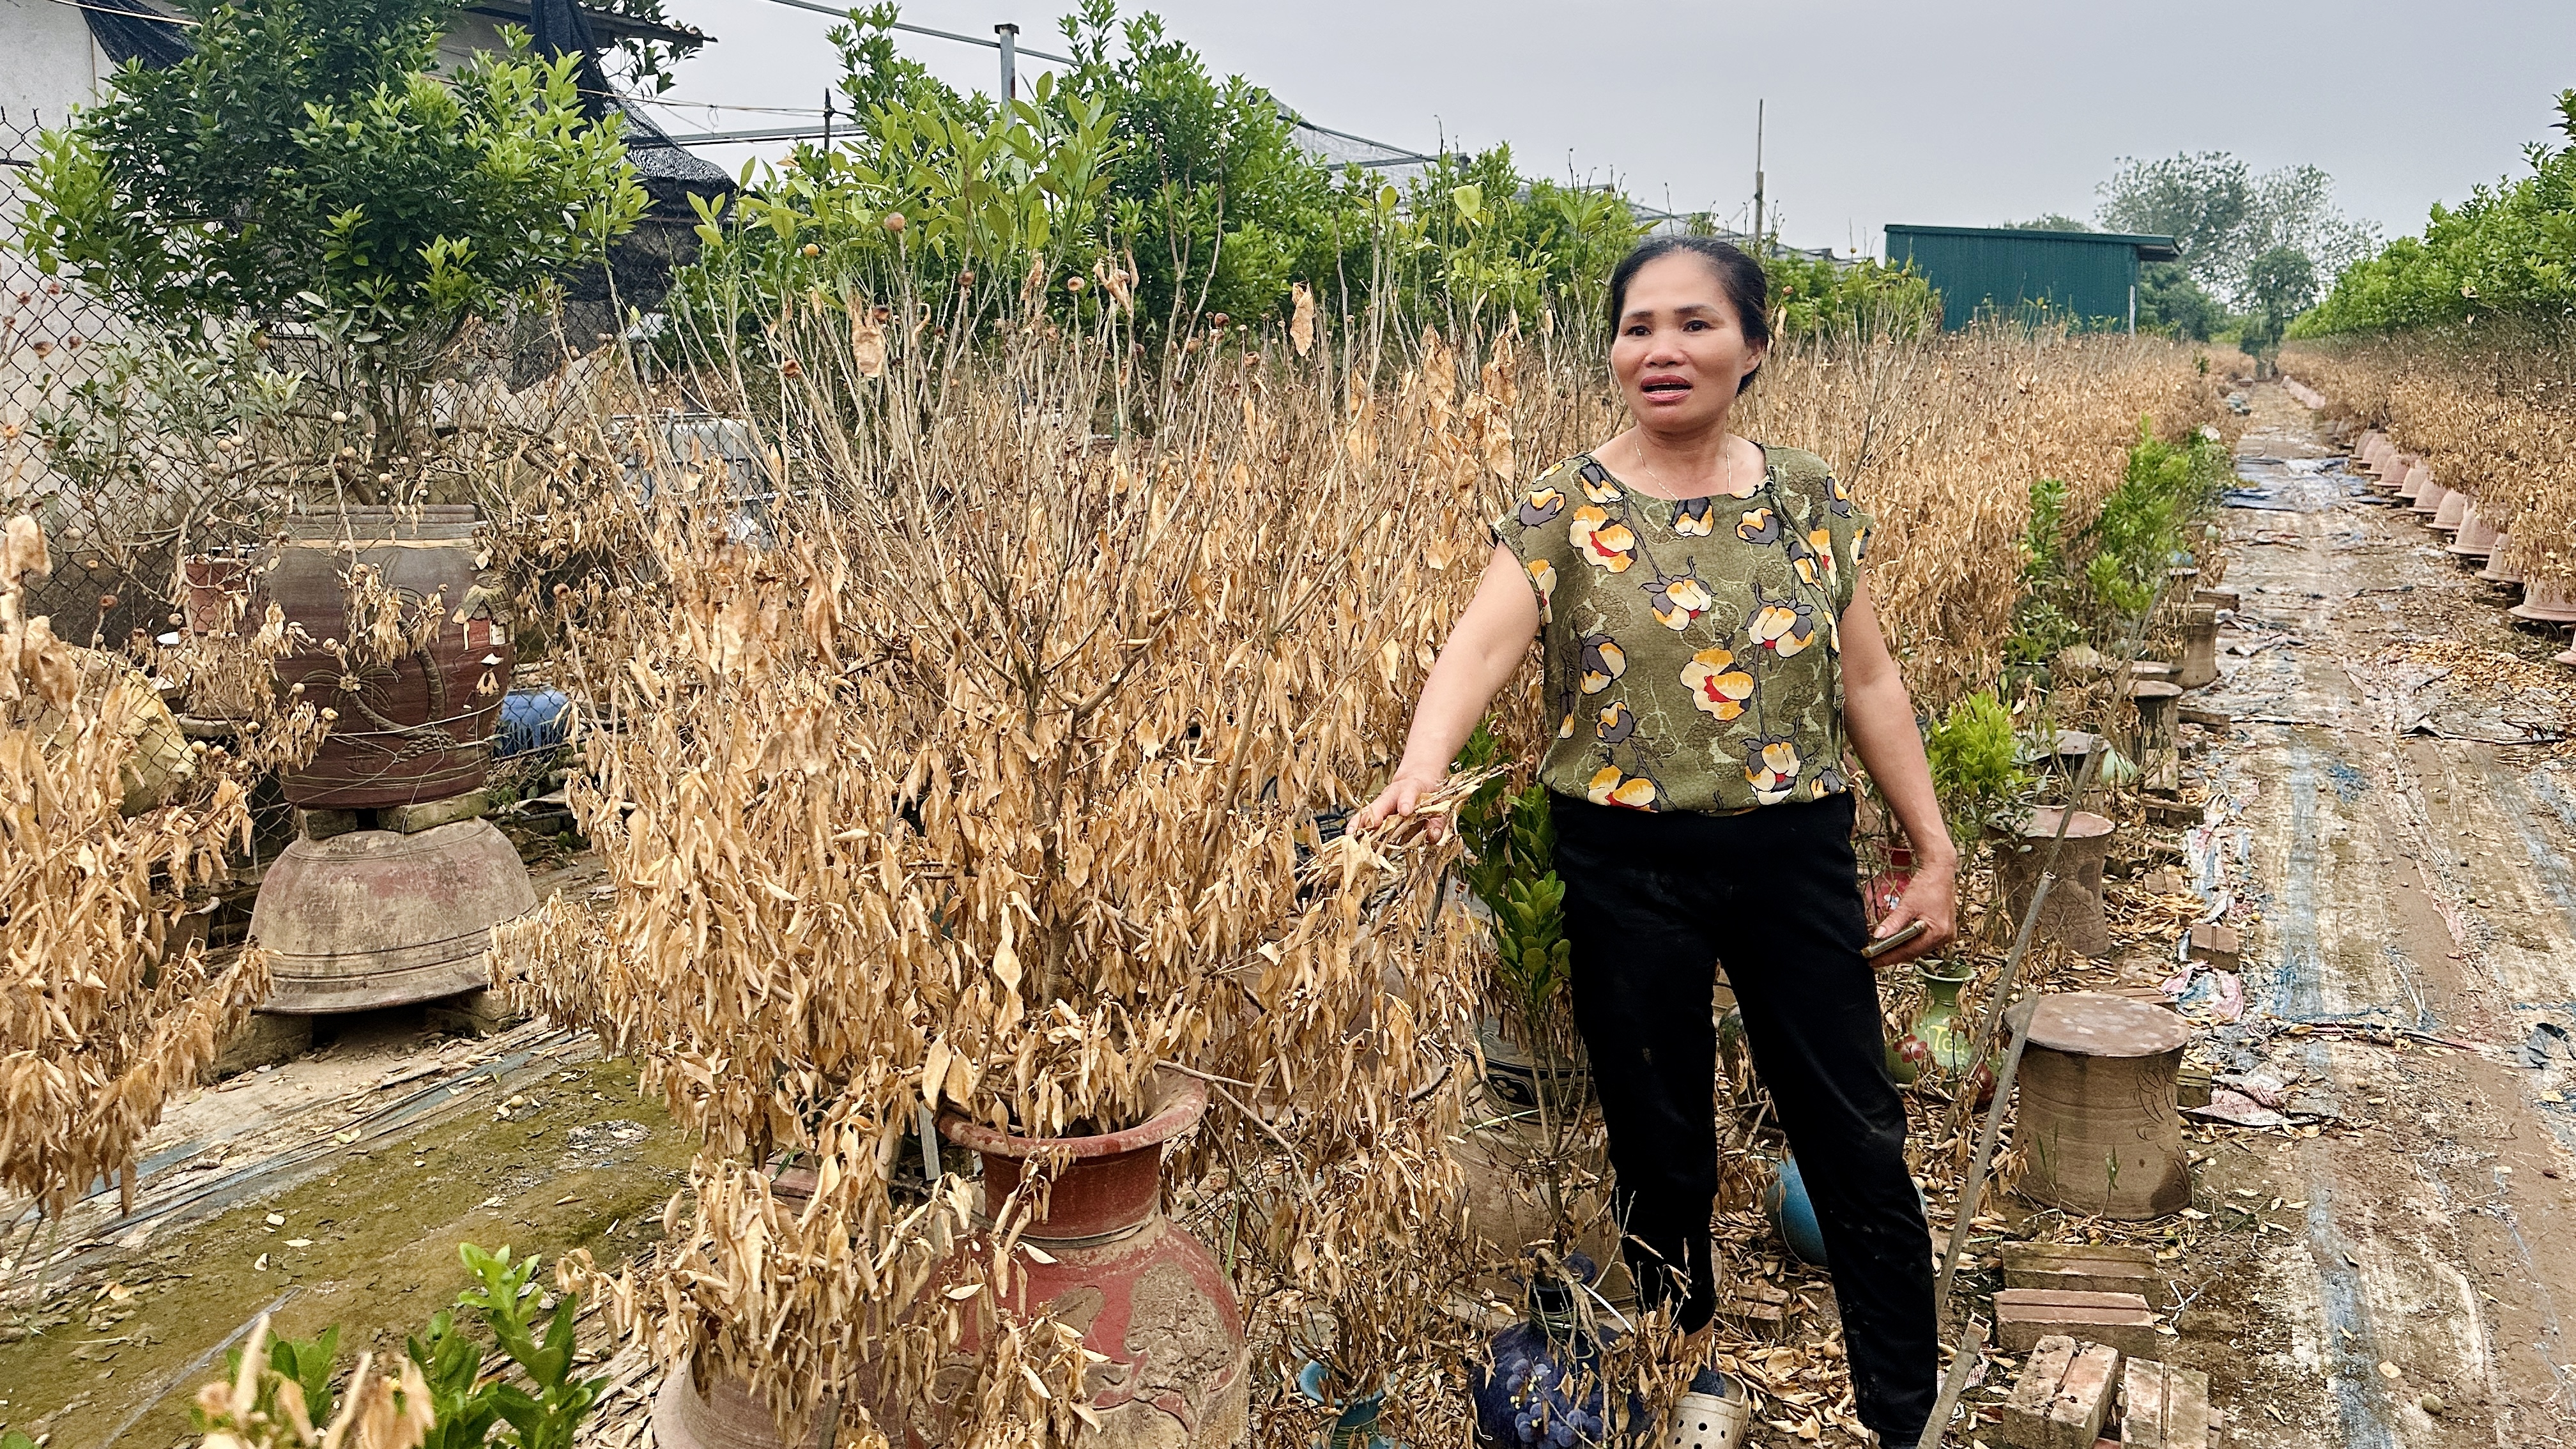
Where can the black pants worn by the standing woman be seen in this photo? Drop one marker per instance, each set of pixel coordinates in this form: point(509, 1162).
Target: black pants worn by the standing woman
point(1653, 906)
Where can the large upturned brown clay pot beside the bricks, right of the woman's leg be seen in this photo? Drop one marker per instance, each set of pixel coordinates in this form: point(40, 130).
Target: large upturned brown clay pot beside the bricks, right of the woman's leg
point(2098, 1123)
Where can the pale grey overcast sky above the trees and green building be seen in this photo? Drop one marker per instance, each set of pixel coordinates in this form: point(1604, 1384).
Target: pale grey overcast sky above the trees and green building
point(1879, 112)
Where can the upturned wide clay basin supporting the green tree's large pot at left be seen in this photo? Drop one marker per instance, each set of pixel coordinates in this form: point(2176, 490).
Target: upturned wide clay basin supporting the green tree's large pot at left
point(380, 919)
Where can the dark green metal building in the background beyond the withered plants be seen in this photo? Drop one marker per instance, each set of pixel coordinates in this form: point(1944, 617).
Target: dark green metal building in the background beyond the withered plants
point(2085, 280)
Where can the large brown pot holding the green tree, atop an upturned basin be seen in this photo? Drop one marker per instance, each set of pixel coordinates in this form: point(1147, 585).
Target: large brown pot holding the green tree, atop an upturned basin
point(411, 728)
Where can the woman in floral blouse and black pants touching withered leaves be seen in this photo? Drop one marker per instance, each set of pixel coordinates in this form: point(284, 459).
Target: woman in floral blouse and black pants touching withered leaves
point(1709, 654)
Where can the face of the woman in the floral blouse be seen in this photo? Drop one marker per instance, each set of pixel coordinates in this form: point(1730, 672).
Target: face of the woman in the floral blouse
point(1681, 349)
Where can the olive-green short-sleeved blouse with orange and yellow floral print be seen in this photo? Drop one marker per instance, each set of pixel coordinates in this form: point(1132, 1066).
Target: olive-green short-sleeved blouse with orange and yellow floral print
point(1694, 648)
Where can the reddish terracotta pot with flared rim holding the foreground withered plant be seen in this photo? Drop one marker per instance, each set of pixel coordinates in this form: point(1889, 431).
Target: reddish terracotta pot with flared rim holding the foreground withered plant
point(1145, 1296)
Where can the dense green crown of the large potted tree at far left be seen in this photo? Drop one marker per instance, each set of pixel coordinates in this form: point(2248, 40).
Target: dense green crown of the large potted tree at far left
point(310, 174)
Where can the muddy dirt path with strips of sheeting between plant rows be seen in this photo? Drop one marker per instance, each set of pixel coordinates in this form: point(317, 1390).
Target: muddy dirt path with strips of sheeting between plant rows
point(2405, 870)
